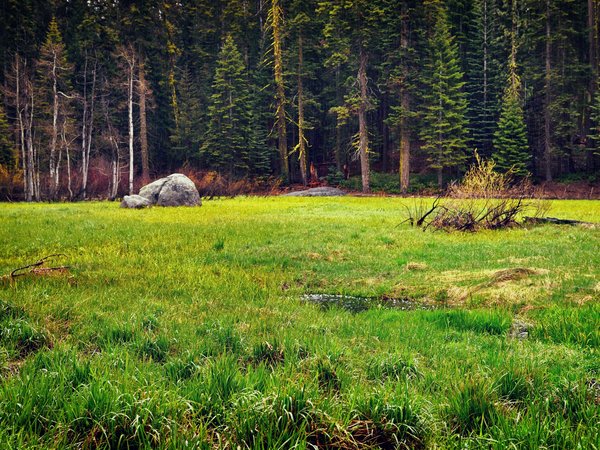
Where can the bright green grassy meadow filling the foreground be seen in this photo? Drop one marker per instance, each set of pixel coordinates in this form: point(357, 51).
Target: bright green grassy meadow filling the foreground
point(187, 328)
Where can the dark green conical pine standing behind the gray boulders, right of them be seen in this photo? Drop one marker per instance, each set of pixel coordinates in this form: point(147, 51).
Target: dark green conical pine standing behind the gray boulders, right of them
point(227, 143)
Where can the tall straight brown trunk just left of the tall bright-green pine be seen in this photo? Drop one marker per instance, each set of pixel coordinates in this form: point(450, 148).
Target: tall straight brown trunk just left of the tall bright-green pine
point(404, 168)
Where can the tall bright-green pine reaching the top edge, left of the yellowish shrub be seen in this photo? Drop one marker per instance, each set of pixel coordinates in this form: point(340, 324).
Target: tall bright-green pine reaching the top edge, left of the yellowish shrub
point(444, 129)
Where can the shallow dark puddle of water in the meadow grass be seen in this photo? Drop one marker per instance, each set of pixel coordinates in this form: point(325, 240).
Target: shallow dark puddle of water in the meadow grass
point(357, 304)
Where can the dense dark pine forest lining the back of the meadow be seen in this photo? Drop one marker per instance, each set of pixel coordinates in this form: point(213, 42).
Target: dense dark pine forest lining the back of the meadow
point(100, 96)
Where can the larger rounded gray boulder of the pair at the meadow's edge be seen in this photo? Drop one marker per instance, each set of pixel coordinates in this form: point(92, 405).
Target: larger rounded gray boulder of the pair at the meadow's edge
point(174, 190)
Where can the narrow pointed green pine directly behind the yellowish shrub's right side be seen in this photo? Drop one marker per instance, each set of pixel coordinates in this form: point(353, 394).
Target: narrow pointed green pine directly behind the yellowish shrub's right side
point(510, 139)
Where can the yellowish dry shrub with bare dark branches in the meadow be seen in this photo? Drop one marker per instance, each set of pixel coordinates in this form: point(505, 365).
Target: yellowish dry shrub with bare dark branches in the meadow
point(484, 199)
